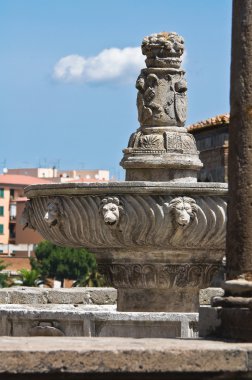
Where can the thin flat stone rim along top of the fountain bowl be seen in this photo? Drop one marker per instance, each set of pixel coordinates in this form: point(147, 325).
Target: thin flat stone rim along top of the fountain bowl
point(125, 187)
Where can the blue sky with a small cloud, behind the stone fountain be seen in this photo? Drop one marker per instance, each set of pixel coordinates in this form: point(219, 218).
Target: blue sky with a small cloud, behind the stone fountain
point(78, 121)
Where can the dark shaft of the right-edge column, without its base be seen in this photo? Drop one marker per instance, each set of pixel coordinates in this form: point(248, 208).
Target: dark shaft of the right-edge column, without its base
point(239, 243)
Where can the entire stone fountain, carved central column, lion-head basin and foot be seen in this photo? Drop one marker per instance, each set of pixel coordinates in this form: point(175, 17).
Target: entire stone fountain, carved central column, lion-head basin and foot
point(159, 236)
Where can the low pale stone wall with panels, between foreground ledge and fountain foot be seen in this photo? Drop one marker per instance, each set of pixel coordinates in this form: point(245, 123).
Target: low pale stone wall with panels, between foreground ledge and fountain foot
point(93, 320)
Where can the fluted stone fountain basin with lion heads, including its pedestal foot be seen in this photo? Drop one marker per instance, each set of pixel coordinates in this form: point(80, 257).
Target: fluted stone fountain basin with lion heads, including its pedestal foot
point(158, 243)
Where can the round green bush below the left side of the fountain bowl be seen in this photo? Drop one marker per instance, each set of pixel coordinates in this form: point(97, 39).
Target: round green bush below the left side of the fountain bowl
point(62, 263)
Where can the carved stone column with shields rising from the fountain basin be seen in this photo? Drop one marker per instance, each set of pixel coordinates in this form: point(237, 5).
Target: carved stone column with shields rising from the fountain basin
point(162, 149)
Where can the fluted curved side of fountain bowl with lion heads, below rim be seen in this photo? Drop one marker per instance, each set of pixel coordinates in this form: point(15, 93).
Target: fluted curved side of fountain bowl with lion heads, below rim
point(77, 217)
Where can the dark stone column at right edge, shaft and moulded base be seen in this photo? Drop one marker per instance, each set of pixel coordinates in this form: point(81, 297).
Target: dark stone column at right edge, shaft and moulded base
point(234, 310)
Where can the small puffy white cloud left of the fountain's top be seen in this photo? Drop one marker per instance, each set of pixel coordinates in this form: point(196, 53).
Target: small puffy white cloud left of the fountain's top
point(109, 65)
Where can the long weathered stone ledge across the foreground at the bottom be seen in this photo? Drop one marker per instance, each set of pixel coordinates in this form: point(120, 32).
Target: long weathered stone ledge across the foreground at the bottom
point(120, 355)
